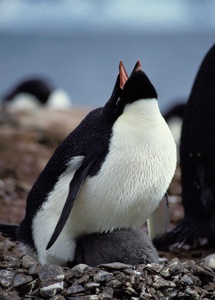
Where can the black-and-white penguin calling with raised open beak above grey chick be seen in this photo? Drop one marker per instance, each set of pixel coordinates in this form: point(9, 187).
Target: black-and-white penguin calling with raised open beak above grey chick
point(109, 173)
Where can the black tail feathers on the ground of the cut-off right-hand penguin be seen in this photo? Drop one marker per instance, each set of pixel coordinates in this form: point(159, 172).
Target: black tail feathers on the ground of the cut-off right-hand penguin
point(187, 235)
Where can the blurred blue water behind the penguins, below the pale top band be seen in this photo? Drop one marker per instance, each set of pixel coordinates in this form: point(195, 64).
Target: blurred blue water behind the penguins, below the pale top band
point(86, 65)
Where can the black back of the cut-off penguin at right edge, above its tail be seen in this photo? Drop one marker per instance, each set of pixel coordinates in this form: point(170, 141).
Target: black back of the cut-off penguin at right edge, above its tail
point(197, 152)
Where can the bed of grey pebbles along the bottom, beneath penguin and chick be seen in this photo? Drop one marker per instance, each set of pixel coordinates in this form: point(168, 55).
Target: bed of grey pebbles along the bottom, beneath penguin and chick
point(25, 278)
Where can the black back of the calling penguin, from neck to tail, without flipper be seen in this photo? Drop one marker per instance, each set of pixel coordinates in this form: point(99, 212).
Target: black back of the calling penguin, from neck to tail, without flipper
point(91, 139)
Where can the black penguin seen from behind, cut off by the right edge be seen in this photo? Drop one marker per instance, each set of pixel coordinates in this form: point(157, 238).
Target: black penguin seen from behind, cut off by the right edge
point(197, 164)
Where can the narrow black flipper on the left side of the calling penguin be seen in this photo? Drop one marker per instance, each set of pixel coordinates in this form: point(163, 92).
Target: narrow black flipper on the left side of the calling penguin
point(74, 188)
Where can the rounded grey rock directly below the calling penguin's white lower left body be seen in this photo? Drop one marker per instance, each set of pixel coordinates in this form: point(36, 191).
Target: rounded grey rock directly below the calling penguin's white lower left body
point(51, 272)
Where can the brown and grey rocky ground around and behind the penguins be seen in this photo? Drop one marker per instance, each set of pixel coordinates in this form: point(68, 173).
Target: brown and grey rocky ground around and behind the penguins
point(26, 144)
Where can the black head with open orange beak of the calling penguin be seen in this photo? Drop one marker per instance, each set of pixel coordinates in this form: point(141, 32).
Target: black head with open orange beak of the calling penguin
point(128, 90)
